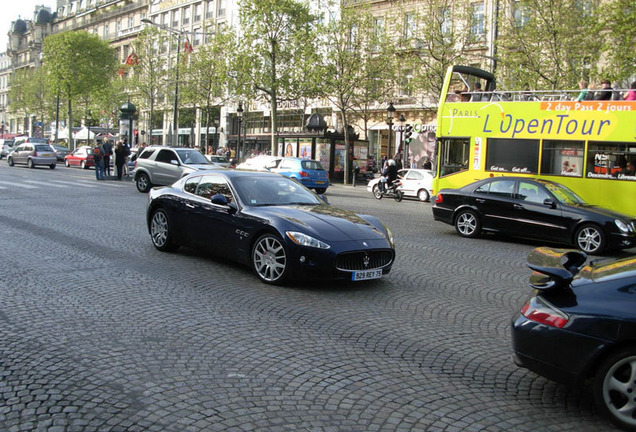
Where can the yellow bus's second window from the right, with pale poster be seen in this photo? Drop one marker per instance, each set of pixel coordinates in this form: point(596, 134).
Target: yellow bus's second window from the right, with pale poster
point(563, 158)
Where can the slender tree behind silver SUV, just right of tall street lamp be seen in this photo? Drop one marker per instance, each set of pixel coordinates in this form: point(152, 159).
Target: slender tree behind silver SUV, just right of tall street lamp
point(206, 85)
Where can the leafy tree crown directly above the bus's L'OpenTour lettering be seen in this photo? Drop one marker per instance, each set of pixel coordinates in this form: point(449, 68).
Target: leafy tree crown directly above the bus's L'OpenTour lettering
point(547, 44)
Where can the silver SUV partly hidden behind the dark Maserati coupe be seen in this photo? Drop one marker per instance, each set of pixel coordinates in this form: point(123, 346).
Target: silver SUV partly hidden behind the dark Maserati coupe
point(160, 166)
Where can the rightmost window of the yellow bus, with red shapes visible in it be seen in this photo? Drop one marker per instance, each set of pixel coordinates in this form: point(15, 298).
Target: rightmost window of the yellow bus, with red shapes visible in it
point(610, 160)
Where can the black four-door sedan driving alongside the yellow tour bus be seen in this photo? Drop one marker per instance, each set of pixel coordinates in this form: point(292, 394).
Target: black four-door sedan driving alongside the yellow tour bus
point(536, 209)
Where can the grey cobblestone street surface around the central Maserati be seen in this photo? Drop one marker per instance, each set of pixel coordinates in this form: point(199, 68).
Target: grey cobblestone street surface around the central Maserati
point(101, 332)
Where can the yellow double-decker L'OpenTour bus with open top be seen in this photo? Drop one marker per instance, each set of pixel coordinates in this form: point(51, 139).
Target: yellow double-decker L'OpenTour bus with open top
point(588, 145)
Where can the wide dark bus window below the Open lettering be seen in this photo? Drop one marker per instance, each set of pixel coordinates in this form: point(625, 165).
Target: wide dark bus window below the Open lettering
point(512, 155)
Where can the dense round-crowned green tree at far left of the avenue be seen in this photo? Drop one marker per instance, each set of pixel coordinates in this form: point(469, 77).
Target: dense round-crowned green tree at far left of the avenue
point(76, 64)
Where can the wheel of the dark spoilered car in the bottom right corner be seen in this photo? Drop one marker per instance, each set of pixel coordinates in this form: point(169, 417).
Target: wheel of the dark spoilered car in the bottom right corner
point(615, 388)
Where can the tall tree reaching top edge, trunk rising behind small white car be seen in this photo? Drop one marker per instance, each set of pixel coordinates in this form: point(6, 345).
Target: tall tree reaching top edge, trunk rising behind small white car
point(278, 39)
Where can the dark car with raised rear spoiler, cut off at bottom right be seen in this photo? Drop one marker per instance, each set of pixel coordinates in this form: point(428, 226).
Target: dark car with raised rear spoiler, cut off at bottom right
point(580, 326)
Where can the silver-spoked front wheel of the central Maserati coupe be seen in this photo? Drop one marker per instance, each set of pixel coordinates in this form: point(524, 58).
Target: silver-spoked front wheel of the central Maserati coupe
point(269, 259)
